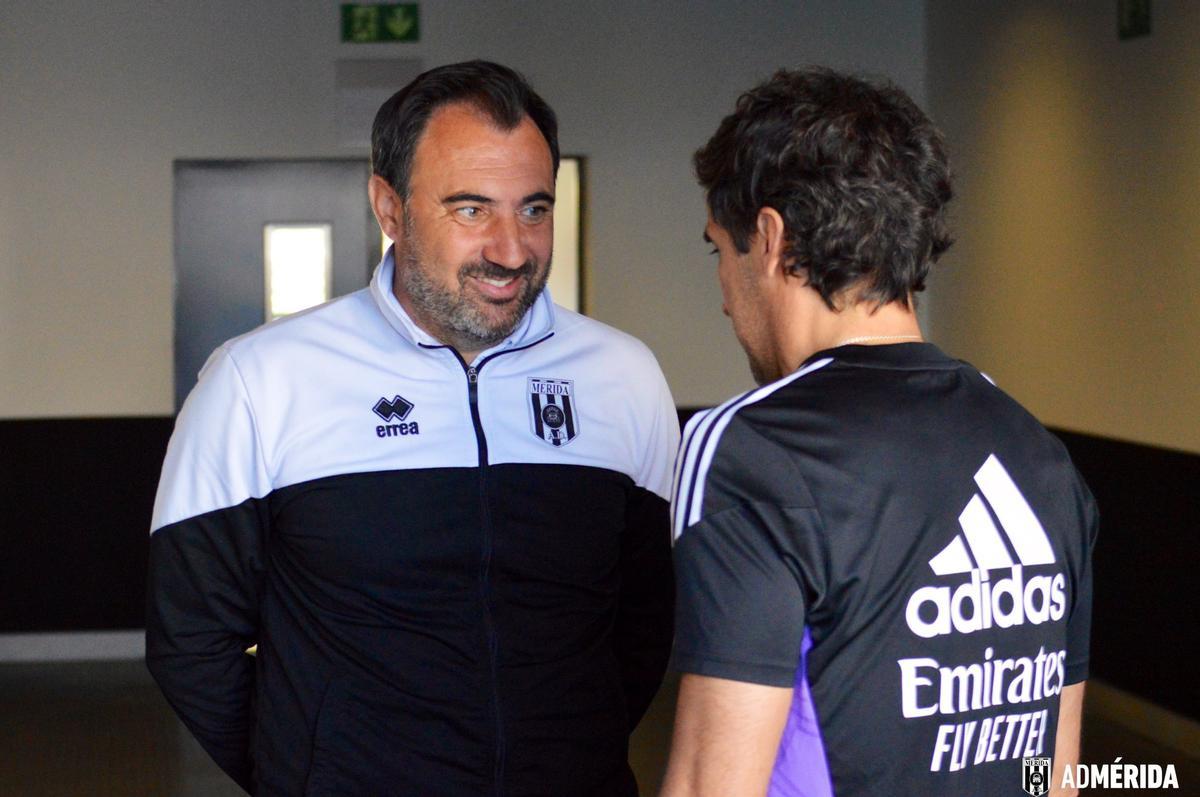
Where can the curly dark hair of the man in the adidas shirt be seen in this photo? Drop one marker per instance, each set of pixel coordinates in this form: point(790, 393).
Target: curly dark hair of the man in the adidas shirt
point(856, 170)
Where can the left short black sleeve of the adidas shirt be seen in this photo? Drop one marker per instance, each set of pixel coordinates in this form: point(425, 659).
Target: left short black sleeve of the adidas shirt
point(745, 571)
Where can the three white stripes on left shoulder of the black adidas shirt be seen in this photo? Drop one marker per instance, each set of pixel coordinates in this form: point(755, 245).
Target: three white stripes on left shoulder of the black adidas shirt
point(700, 445)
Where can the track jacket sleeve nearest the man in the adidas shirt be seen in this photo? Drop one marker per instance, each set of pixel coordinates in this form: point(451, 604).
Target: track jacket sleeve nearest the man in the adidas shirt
point(646, 610)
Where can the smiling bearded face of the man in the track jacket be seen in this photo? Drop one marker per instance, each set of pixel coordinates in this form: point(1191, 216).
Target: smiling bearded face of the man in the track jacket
point(478, 229)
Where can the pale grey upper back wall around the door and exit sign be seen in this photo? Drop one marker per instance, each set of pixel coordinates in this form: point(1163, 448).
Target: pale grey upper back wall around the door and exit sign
point(97, 100)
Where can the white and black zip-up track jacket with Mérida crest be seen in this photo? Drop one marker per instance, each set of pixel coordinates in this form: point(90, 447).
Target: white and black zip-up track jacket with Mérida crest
point(458, 577)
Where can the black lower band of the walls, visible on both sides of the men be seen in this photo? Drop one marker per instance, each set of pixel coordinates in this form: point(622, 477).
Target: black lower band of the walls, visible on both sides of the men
point(77, 495)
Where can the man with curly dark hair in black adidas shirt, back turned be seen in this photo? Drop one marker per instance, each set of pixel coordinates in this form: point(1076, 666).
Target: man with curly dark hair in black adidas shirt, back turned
point(883, 560)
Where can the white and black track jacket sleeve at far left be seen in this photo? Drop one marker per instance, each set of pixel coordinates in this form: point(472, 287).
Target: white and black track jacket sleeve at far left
point(207, 550)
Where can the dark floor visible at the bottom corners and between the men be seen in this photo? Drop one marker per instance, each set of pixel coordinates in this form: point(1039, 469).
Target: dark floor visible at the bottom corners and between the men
point(103, 729)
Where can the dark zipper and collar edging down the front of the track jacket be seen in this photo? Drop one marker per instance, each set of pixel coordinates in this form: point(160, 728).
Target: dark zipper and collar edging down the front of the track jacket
point(485, 584)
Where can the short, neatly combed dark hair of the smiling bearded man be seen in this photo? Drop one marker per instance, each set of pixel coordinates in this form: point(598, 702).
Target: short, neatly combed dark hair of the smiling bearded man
point(497, 92)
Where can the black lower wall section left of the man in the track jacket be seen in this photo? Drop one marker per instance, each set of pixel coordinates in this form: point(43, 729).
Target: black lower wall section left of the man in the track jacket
point(75, 519)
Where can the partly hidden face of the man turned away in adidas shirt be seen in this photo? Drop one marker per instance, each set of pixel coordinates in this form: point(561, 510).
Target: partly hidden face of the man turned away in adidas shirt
point(745, 303)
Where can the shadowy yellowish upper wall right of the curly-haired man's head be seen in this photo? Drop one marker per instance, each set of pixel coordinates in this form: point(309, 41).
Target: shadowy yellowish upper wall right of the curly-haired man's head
point(1076, 281)
